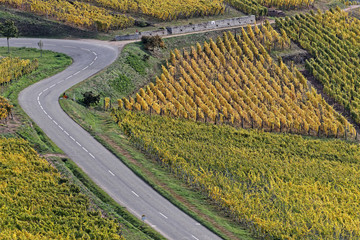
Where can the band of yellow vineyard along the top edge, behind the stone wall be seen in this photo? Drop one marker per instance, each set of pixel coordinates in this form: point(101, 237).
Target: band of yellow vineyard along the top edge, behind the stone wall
point(105, 15)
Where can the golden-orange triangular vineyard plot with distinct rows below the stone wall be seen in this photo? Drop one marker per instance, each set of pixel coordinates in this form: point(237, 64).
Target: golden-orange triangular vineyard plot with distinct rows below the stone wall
point(235, 81)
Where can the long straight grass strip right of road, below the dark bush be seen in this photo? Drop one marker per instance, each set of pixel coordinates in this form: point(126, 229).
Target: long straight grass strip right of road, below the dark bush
point(102, 127)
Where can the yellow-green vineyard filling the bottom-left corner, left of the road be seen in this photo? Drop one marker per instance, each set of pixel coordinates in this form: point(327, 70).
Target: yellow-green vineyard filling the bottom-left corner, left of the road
point(37, 203)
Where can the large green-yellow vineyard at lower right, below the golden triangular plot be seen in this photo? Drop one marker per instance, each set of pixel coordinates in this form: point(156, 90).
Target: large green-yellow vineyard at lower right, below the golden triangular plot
point(279, 186)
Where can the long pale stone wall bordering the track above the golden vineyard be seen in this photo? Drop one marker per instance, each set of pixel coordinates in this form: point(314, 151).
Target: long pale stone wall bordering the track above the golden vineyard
point(232, 22)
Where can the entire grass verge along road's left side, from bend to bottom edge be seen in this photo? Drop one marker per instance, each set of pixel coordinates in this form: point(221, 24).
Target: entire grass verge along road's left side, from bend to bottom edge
point(22, 126)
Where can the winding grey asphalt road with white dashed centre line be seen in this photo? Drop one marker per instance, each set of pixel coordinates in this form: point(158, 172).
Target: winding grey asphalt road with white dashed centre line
point(40, 102)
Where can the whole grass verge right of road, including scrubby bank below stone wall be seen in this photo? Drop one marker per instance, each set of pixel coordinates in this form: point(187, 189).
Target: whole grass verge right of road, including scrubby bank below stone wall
point(102, 127)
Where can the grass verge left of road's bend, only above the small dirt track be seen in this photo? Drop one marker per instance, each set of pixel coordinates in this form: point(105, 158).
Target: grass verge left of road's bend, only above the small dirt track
point(22, 126)
